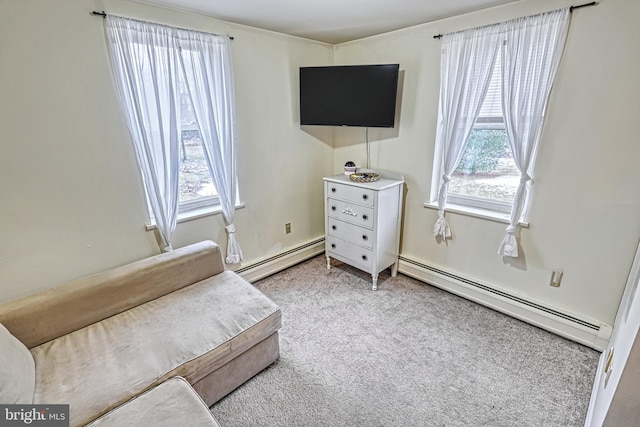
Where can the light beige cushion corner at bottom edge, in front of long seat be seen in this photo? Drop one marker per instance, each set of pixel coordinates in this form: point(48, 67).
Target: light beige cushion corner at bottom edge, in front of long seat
point(172, 403)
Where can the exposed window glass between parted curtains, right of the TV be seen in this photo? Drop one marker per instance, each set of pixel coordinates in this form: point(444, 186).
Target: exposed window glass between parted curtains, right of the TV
point(487, 176)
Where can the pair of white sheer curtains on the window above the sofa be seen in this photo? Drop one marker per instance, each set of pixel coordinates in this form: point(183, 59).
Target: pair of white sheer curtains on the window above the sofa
point(148, 62)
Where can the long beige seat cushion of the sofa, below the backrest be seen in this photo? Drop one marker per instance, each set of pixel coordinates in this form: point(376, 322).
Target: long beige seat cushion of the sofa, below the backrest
point(187, 333)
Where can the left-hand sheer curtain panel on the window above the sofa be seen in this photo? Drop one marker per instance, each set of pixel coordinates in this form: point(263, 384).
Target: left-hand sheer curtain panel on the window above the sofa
point(146, 67)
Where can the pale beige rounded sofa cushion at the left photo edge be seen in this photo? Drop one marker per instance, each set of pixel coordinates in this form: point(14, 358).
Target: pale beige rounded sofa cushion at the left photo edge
point(17, 370)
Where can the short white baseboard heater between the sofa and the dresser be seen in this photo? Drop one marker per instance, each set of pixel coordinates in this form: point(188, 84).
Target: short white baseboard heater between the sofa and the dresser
point(281, 261)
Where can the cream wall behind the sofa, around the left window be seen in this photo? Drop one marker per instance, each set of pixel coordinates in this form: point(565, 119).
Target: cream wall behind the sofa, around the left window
point(71, 200)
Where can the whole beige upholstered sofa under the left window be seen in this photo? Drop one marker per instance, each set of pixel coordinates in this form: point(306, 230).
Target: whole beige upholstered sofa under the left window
point(103, 341)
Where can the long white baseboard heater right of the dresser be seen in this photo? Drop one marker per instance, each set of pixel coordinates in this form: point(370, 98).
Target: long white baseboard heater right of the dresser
point(591, 334)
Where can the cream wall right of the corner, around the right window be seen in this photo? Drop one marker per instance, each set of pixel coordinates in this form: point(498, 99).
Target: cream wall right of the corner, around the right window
point(585, 217)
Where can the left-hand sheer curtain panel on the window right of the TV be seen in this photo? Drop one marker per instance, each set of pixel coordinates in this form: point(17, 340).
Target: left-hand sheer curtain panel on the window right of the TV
point(467, 62)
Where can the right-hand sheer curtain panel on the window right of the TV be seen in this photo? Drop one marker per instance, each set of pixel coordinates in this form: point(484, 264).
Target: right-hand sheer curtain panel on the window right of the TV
point(530, 59)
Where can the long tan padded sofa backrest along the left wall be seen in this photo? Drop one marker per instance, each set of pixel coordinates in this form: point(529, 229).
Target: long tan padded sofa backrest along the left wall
point(47, 315)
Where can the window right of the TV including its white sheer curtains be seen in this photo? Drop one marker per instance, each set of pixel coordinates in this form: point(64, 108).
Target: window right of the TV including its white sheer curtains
point(472, 162)
